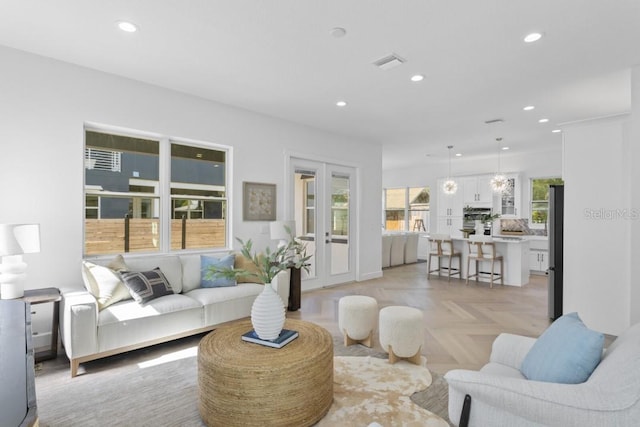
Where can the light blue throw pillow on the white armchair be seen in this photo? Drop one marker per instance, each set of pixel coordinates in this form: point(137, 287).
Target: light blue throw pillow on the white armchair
point(567, 352)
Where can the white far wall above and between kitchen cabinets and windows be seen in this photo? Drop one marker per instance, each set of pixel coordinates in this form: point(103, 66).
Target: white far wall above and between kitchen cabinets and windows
point(543, 164)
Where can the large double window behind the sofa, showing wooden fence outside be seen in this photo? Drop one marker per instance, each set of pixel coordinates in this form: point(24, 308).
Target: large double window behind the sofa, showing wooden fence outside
point(127, 195)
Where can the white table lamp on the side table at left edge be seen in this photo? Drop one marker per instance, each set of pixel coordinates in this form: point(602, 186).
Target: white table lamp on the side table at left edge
point(15, 240)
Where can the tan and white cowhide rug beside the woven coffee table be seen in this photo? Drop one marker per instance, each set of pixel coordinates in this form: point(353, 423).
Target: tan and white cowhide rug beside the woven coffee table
point(368, 389)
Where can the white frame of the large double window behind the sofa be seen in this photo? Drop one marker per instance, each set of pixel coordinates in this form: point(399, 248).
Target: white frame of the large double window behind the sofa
point(164, 196)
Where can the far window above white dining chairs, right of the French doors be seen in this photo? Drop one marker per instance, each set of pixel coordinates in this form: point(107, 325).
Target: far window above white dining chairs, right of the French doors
point(406, 209)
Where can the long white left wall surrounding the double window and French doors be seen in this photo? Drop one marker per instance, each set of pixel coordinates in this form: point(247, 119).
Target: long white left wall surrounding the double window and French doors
point(45, 103)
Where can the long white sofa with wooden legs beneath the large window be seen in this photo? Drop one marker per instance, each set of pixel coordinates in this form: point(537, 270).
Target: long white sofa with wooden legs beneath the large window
point(92, 328)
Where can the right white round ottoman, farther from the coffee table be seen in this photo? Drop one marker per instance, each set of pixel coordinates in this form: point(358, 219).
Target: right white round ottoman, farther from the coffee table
point(402, 333)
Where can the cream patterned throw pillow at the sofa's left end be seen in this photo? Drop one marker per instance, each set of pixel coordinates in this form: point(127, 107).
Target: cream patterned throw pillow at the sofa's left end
point(104, 284)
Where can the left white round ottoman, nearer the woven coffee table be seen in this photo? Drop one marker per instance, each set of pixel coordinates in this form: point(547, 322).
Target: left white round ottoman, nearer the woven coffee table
point(357, 319)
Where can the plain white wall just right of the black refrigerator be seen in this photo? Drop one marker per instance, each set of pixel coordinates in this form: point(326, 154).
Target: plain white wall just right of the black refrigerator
point(597, 221)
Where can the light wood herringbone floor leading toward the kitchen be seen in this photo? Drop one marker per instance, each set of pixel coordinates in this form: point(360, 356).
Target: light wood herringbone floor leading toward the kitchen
point(461, 321)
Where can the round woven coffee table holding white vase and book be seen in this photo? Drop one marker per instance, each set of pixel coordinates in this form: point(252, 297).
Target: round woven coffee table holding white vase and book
point(247, 384)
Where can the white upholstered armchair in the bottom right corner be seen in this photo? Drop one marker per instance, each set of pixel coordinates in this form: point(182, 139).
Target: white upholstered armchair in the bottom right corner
point(501, 396)
